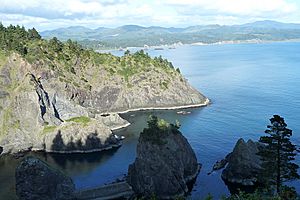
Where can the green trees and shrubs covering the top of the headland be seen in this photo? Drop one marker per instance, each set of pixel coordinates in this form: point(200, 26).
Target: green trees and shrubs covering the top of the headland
point(71, 62)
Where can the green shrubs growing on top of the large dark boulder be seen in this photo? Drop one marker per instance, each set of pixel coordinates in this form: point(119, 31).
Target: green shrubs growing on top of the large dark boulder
point(158, 129)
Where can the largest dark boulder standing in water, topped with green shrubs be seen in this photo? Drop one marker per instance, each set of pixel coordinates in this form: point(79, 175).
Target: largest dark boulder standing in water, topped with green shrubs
point(165, 163)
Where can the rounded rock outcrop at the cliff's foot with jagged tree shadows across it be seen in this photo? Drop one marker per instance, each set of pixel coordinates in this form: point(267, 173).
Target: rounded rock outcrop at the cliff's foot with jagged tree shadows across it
point(76, 137)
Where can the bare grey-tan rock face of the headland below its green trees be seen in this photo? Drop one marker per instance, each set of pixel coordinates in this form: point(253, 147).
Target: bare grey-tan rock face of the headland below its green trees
point(40, 101)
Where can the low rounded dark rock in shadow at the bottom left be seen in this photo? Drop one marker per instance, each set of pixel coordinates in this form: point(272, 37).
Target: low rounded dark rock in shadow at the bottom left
point(36, 180)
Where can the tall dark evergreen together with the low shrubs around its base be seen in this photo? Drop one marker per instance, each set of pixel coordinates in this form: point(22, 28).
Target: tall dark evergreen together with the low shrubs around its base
point(277, 155)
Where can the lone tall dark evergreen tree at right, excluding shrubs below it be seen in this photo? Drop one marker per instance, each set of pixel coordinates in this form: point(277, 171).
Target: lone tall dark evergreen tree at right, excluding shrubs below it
point(277, 155)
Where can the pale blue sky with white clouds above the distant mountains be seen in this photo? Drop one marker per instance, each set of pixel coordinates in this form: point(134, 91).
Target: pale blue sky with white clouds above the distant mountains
point(50, 14)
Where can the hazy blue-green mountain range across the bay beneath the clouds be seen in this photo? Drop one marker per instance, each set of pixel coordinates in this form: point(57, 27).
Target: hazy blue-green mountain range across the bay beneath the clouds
point(138, 36)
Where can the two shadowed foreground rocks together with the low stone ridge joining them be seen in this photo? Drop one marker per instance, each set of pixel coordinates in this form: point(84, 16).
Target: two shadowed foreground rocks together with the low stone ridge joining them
point(165, 166)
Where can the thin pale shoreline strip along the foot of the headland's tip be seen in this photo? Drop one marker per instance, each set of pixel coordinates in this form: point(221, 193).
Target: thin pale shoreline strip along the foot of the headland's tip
point(206, 102)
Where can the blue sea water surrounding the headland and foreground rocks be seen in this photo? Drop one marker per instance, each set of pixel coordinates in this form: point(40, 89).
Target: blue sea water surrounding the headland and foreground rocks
point(247, 84)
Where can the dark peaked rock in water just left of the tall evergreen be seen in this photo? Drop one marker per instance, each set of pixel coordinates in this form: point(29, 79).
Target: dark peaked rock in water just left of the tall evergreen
point(243, 164)
